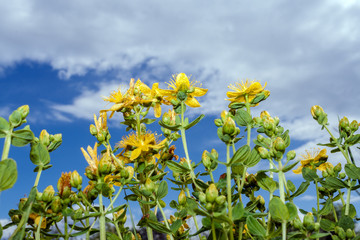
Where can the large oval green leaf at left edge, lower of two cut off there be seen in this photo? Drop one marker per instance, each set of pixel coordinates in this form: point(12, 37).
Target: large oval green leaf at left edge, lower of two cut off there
point(8, 174)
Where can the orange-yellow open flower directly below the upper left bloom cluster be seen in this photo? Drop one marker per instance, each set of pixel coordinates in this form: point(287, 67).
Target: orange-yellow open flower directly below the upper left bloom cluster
point(142, 144)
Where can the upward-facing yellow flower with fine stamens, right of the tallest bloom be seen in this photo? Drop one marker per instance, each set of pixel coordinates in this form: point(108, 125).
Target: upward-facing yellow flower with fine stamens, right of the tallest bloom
point(251, 89)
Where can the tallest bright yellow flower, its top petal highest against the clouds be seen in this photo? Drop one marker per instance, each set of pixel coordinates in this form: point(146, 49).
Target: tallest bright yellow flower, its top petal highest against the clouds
point(181, 83)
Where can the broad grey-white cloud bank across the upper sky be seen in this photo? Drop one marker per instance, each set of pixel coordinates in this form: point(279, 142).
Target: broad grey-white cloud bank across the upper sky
point(307, 52)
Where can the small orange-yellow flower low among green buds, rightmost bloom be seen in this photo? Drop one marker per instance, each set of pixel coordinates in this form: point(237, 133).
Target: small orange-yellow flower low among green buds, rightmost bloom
point(312, 158)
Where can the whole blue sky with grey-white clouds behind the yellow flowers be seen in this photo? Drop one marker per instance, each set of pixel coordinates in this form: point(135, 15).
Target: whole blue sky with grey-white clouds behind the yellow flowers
point(62, 57)
